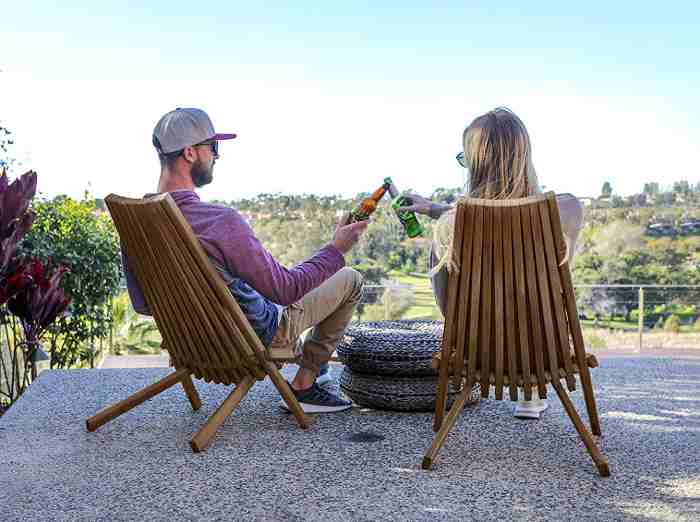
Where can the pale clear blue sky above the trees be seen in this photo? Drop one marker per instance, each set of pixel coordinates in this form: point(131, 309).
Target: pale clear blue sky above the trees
point(330, 99)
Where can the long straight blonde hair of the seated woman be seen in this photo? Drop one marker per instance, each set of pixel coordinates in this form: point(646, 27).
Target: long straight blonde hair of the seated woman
point(498, 157)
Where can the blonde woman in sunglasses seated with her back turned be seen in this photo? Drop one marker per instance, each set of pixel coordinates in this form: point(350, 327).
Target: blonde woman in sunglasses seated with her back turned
point(498, 159)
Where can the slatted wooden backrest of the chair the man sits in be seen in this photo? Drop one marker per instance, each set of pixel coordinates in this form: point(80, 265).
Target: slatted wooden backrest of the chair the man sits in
point(203, 328)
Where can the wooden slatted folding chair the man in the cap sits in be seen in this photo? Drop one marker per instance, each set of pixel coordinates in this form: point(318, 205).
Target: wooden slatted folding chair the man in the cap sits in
point(203, 328)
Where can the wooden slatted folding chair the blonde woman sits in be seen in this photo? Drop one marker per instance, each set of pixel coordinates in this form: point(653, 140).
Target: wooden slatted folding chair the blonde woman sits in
point(511, 313)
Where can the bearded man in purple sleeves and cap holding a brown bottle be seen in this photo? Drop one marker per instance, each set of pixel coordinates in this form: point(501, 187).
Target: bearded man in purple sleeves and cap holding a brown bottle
point(280, 303)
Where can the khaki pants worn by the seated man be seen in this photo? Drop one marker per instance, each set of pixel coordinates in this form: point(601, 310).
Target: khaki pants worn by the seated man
point(327, 310)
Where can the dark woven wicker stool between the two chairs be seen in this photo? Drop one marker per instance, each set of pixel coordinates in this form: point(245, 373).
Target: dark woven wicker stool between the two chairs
point(388, 365)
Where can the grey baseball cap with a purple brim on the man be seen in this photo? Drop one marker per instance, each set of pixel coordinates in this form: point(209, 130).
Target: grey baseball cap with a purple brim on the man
point(183, 128)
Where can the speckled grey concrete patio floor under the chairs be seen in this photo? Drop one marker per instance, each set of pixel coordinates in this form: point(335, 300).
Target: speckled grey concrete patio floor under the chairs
point(356, 465)
